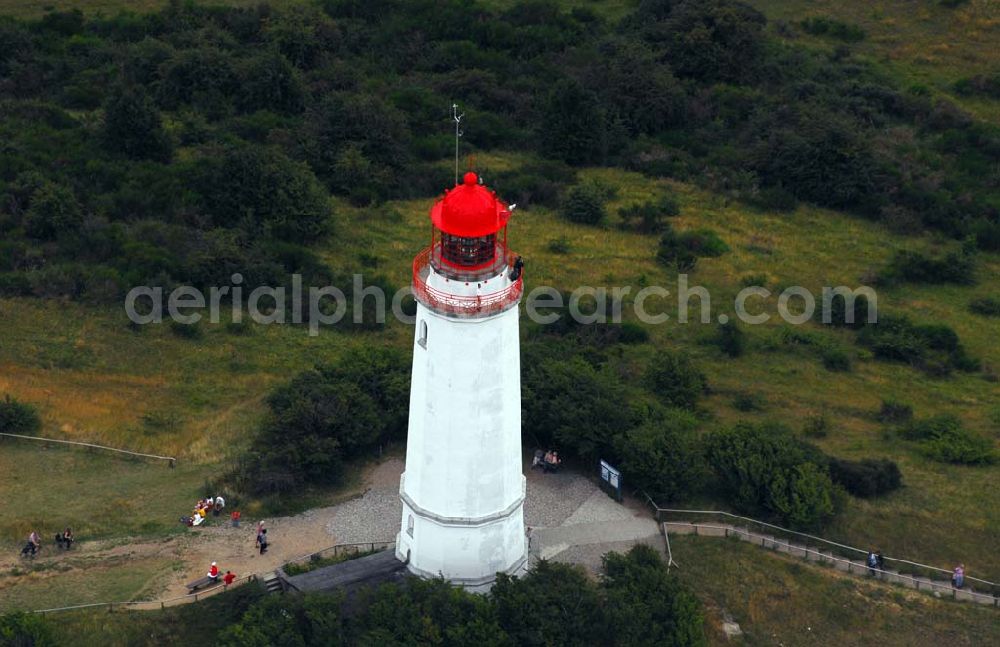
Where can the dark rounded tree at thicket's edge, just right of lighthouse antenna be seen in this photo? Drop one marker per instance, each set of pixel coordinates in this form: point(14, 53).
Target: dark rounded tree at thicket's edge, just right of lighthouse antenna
point(572, 127)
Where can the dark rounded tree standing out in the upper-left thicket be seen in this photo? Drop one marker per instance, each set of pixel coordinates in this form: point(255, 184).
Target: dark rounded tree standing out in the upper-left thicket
point(132, 126)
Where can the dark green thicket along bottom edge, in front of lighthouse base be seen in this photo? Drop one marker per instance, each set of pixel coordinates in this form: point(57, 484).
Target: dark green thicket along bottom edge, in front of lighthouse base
point(636, 603)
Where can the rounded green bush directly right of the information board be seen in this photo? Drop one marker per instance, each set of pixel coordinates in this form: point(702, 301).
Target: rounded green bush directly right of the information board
point(662, 457)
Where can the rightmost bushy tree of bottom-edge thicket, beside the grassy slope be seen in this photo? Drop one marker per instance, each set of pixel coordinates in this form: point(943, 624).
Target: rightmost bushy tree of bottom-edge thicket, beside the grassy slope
point(646, 605)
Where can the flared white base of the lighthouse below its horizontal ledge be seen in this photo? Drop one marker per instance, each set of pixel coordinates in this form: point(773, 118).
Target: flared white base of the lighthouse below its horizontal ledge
point(467, 552)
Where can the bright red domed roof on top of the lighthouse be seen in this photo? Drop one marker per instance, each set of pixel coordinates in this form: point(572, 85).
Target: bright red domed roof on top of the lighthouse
point(470, 210)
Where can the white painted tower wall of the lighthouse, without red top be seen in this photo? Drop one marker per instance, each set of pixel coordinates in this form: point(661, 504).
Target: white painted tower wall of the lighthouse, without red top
point(463, 485)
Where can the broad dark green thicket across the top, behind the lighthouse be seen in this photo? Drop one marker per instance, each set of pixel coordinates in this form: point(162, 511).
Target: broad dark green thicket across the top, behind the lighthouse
point(184, 145)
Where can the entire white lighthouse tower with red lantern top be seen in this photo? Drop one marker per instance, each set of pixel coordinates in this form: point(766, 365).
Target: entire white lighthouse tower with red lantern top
point(463, 488)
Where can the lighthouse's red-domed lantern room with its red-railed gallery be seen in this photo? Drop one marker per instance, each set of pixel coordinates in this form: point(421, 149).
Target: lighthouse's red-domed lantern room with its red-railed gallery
point(473, 270)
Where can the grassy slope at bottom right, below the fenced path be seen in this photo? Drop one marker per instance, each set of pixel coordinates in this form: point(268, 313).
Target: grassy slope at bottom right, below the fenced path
point(779, 601)
